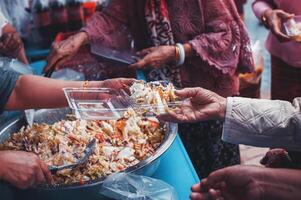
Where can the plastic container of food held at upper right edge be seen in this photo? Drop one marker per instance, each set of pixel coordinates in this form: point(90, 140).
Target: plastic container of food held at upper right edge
point(293, 28)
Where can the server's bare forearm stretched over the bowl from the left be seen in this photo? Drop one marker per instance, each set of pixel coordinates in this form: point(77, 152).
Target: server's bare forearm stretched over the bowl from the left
point(39, 92)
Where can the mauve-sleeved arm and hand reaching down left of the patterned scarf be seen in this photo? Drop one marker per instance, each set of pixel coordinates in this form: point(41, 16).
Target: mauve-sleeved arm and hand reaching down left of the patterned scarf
point(99, 29)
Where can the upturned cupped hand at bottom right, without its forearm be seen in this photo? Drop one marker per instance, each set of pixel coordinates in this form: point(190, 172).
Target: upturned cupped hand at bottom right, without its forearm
point(232, 183)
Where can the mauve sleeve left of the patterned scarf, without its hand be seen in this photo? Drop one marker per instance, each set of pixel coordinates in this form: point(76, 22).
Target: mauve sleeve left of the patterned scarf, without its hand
point(103, 25)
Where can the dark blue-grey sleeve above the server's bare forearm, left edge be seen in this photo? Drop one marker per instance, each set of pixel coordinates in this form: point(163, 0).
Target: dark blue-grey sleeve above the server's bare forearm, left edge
point(8, 79)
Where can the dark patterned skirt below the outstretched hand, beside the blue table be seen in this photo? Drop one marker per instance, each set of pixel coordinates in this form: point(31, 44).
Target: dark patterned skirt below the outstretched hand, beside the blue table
point(206, 149)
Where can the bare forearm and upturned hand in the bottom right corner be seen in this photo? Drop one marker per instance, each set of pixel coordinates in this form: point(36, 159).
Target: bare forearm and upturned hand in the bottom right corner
point(249, 183)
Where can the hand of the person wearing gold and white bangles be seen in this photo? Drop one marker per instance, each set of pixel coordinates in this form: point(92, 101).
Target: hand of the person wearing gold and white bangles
point(155, 57)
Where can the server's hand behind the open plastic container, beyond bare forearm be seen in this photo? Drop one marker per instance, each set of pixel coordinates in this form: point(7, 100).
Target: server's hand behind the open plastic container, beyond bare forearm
point(118, 83)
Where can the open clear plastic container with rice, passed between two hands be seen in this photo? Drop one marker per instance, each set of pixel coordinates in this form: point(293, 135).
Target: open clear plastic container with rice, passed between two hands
point(146, 99)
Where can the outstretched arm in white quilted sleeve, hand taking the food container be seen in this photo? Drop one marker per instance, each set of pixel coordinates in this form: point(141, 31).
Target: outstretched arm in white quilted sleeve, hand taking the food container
point(255, 122)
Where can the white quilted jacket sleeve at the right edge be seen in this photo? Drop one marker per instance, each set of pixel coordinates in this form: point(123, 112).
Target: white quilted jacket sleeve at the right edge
point(263, 123)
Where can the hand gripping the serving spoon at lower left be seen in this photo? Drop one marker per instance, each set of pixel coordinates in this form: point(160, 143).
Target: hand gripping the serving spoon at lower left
point(23, 170)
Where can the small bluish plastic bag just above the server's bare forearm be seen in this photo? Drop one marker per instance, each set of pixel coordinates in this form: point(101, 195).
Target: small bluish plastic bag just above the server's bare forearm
point(67, 74)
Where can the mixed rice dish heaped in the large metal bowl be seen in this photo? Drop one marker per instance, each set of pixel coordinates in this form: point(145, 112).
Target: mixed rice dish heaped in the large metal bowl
point(120, 144)
